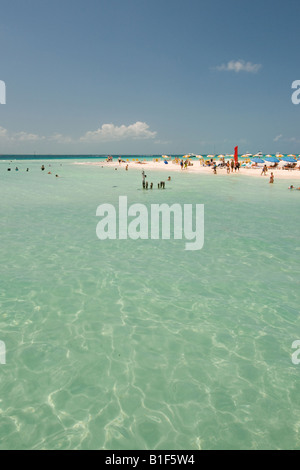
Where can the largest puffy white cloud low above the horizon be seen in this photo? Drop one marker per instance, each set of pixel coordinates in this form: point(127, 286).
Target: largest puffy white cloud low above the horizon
point(110, 132)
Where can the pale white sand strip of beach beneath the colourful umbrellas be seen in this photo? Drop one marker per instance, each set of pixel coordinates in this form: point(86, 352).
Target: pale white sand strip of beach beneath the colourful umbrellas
point(197, 169)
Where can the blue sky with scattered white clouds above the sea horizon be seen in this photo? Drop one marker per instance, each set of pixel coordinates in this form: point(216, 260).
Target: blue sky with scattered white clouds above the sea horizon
point(149, 76)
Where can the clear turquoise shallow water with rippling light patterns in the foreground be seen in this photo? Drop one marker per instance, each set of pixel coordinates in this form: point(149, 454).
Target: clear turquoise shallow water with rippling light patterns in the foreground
point(124, 344)
